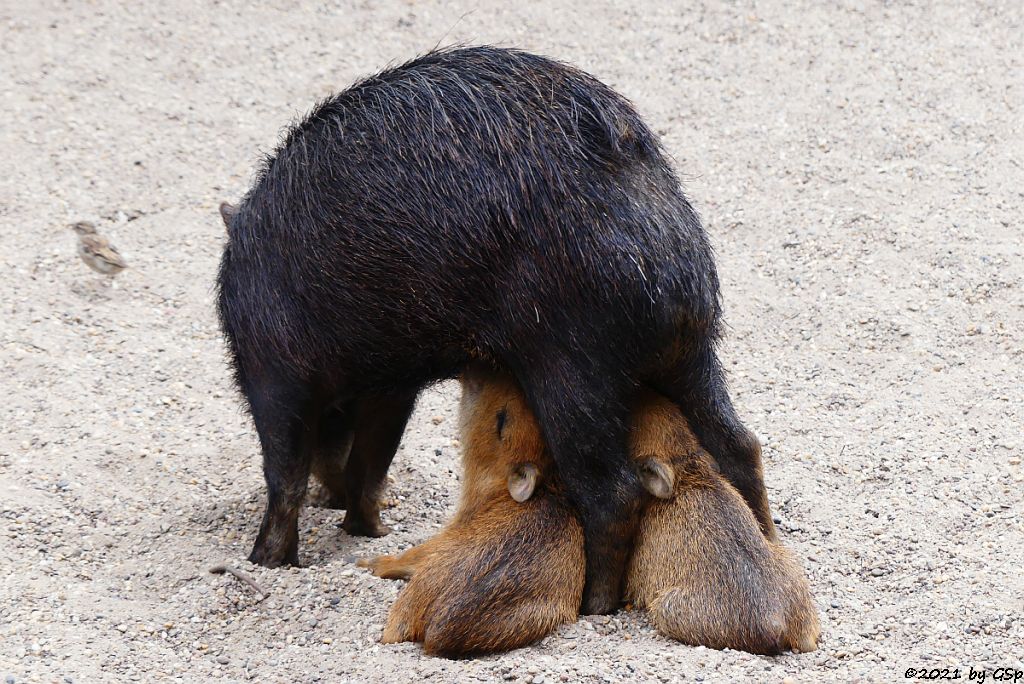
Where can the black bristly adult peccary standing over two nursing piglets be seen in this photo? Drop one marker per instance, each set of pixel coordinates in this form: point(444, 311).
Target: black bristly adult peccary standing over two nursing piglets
point(474, 204)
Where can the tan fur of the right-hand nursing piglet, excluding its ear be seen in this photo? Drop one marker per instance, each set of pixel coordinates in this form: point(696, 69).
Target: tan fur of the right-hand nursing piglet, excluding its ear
point(701, 563)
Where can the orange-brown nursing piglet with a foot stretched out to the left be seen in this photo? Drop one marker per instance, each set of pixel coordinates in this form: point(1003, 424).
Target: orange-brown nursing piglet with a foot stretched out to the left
point(509, 567)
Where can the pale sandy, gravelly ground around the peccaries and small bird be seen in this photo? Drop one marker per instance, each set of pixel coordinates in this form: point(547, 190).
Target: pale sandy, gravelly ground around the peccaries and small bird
point(859, 167)
